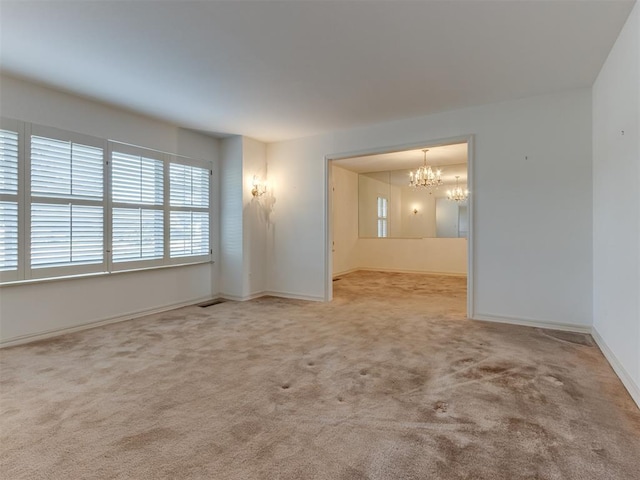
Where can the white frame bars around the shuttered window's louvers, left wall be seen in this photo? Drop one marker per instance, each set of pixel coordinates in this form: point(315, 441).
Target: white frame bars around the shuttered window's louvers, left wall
point(26, 274)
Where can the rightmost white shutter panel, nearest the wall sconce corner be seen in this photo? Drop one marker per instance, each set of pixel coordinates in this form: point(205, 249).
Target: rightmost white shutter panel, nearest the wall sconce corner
point(189, 216)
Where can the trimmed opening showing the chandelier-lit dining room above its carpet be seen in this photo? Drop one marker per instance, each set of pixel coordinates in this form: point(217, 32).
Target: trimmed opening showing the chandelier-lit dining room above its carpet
point(377, 218)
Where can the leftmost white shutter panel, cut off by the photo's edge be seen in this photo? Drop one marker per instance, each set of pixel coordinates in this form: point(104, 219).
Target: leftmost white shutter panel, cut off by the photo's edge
point(9, 203)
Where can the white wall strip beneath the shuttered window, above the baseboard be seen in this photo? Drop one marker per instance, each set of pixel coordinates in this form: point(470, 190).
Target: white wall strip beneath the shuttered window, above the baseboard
point(41, 308)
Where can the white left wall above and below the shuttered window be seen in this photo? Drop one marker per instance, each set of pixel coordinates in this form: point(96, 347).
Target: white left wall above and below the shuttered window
point(38, 308)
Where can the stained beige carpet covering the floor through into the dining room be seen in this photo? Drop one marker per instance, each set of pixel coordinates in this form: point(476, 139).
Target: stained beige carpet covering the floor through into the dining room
point(389, 381)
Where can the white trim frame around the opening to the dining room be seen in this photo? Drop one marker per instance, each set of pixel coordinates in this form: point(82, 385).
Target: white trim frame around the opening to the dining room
point(471, 184)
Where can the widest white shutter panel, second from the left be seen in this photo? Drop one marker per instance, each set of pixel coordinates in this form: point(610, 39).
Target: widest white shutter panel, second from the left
point(67, 205)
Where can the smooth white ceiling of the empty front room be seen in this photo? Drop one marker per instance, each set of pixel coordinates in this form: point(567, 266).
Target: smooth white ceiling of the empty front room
point(274, 70)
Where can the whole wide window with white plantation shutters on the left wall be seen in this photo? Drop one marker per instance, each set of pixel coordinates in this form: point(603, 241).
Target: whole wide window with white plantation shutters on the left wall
point(73, 204)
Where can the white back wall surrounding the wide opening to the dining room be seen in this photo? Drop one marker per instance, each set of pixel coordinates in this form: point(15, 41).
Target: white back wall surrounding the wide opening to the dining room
point(532, 252)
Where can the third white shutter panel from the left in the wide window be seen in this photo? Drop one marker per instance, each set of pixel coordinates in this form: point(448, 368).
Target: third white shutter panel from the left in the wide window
point(137, 192)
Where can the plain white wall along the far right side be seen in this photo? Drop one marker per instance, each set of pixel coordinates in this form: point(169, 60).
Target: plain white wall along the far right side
point(616, 205)
